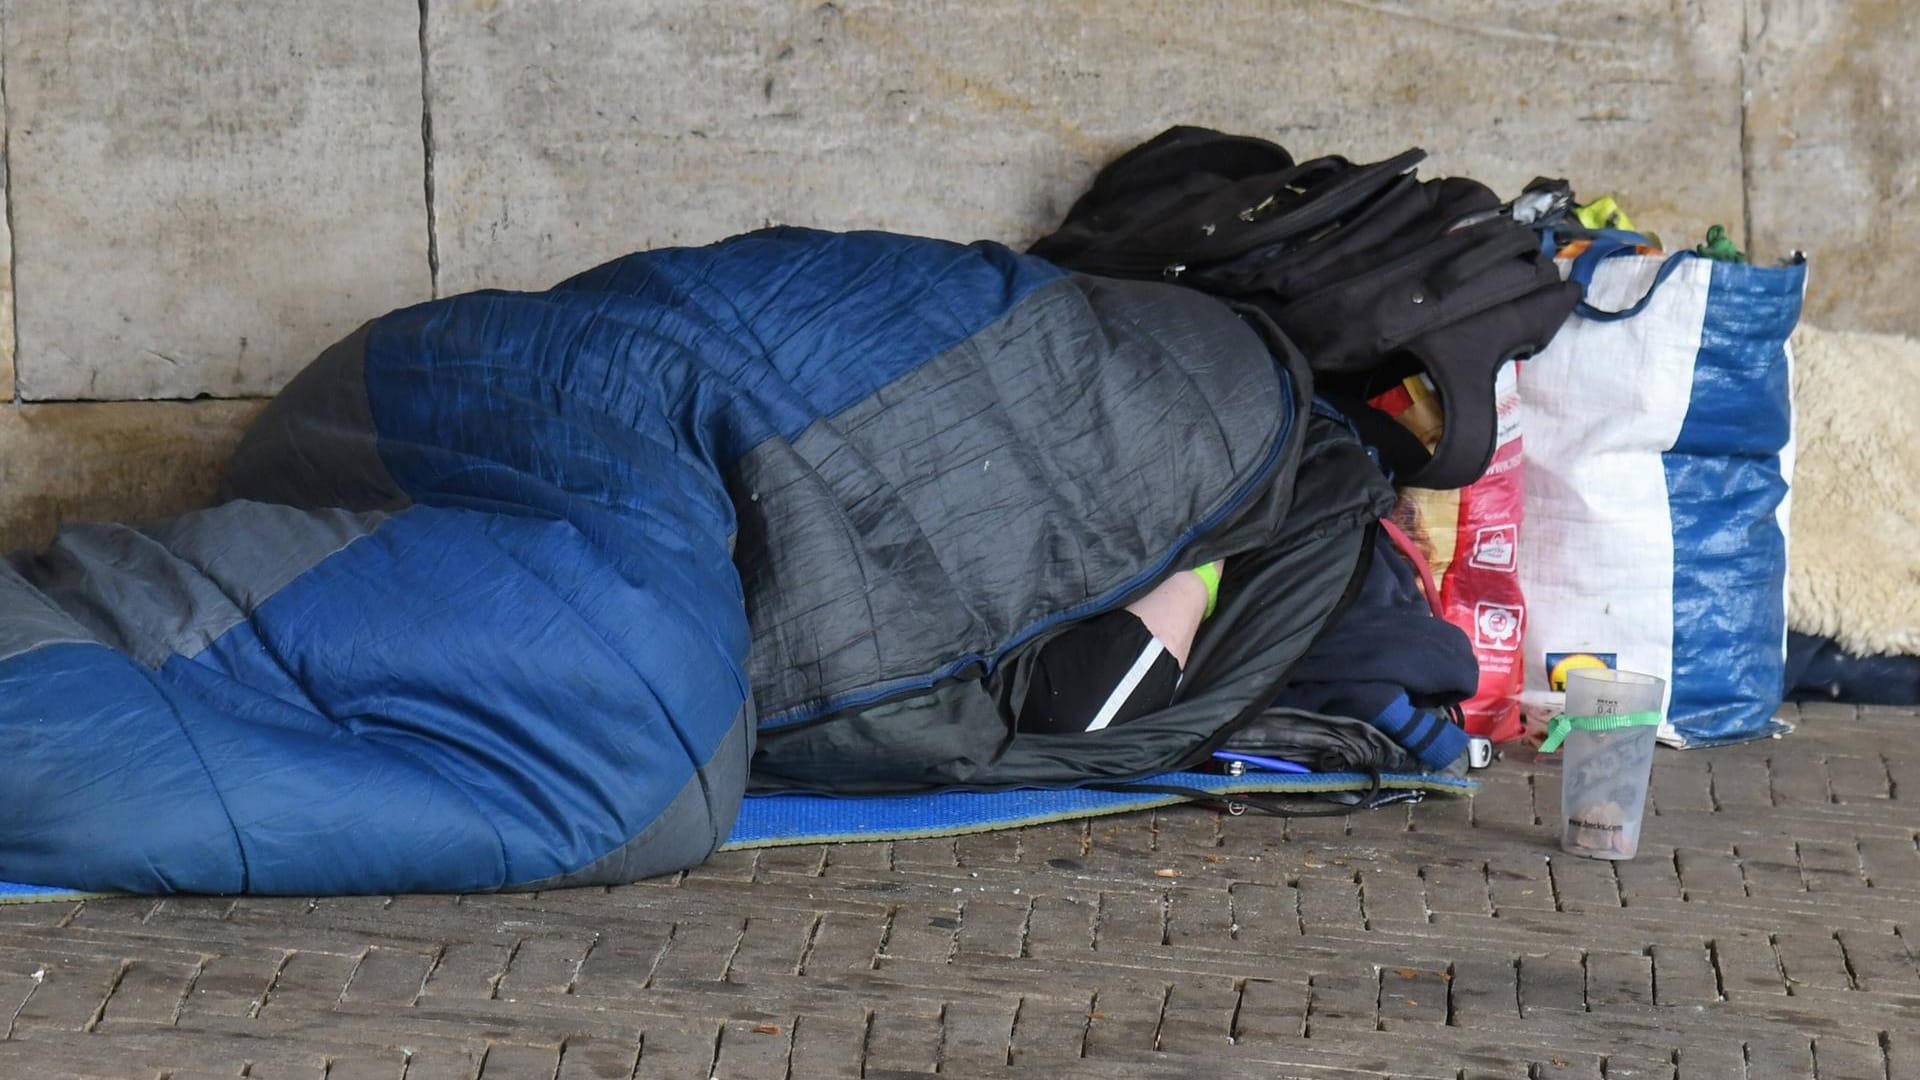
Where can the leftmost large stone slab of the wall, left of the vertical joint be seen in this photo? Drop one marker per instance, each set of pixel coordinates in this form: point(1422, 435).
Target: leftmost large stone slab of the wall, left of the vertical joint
point(206, 197)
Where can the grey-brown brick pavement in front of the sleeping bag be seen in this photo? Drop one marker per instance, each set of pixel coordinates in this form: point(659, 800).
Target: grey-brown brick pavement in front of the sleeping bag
point(1764, 933)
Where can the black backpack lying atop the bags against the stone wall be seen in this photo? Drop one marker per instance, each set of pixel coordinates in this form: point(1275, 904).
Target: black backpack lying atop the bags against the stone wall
point(1372, 272)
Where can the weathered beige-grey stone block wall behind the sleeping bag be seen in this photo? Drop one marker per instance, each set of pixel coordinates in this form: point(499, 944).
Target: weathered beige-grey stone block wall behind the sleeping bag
point(204, 195)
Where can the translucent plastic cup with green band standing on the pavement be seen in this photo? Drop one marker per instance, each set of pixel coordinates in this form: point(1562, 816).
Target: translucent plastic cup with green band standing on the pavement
point(1608, 760)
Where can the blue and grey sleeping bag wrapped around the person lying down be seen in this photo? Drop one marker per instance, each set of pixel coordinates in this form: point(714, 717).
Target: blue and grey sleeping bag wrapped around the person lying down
point(527, 589)
